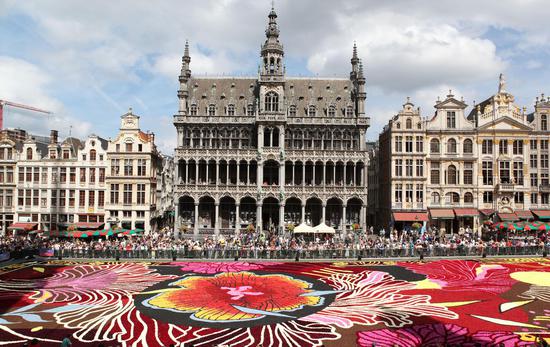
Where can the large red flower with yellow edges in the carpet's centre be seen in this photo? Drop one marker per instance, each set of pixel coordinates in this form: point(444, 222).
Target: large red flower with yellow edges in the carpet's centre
point(234, 296)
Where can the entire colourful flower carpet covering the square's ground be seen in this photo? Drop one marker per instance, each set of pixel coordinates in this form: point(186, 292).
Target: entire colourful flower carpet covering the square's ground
point(485, 302)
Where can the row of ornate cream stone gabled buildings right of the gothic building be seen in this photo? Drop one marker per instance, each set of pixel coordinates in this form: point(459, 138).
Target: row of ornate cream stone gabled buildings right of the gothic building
point(458, 169)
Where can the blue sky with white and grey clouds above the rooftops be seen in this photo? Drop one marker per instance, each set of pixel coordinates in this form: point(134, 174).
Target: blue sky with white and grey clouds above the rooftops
point(89, 61)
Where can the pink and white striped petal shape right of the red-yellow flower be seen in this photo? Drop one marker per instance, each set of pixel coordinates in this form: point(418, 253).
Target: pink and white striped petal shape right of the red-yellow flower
point(372, 297)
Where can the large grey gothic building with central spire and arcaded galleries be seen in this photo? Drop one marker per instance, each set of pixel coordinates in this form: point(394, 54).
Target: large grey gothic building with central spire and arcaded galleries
point(270, 152)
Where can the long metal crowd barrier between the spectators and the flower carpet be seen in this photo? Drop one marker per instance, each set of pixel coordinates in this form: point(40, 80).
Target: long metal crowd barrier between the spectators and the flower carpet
point(346, 253)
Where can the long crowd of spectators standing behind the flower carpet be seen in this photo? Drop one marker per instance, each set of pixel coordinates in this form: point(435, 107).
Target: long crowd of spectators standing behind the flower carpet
point(394, 243)
